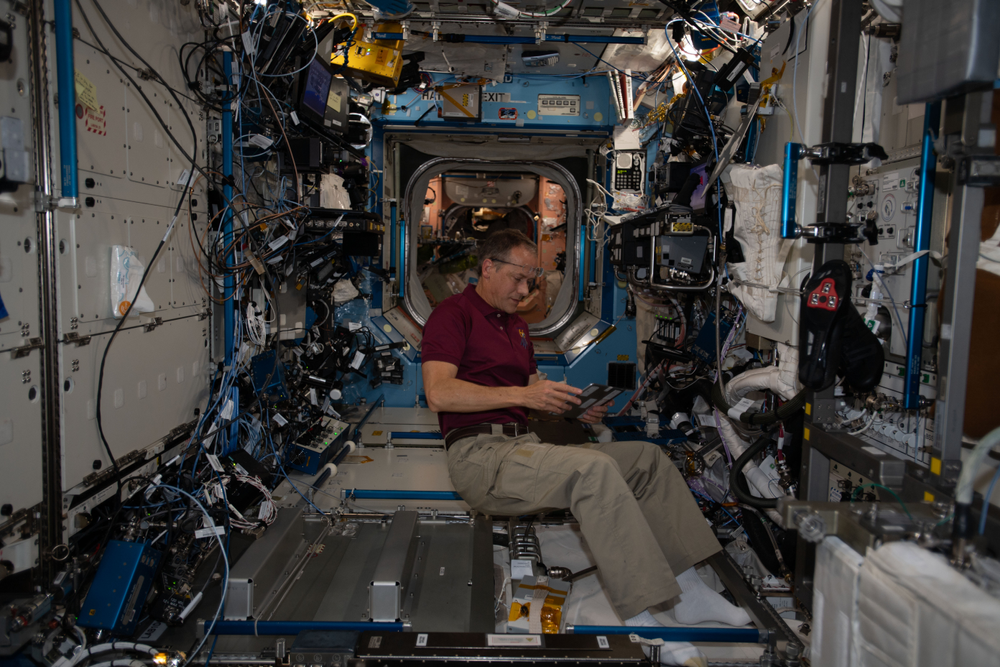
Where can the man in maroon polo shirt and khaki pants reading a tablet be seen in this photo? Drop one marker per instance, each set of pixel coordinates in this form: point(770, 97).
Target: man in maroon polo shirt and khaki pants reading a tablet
point(634, 508)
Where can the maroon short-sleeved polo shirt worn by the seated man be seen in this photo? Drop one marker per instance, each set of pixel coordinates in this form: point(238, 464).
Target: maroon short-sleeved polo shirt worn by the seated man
point(490, 348)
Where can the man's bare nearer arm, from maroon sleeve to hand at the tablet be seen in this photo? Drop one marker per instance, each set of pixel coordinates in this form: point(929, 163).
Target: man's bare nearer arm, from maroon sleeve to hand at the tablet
point(446, 393)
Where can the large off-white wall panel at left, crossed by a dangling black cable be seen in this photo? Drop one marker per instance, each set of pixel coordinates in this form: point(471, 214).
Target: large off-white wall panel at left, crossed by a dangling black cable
point(129, 173)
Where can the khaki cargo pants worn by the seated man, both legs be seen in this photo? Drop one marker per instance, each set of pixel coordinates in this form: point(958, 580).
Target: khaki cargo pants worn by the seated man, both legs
point(635, 511)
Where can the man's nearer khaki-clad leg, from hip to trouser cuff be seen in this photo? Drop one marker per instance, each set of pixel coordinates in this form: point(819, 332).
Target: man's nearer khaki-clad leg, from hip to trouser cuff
point(511, 476)
